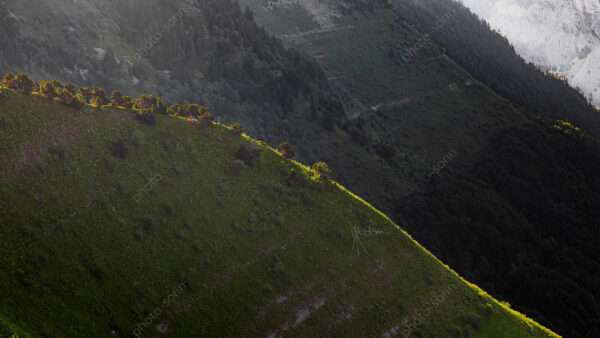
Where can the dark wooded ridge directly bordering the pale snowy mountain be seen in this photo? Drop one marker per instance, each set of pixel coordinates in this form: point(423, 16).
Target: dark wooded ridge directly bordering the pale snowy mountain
point(489, 57)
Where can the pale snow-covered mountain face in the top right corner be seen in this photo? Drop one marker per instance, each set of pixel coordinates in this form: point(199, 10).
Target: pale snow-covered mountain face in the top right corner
point(562, 36)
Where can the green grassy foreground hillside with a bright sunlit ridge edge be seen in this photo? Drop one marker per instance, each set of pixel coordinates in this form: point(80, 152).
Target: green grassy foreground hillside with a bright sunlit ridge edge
point(114, 227)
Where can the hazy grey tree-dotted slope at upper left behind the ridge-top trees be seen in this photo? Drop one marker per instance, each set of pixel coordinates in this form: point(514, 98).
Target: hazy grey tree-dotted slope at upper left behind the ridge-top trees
point(207, 52)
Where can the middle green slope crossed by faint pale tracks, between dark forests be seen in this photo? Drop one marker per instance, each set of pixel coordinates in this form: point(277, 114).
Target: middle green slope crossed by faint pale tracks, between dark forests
point(409, 113)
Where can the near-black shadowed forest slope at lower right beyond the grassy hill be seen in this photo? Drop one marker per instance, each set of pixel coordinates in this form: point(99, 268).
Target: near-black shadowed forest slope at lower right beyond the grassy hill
point(522, 222)
